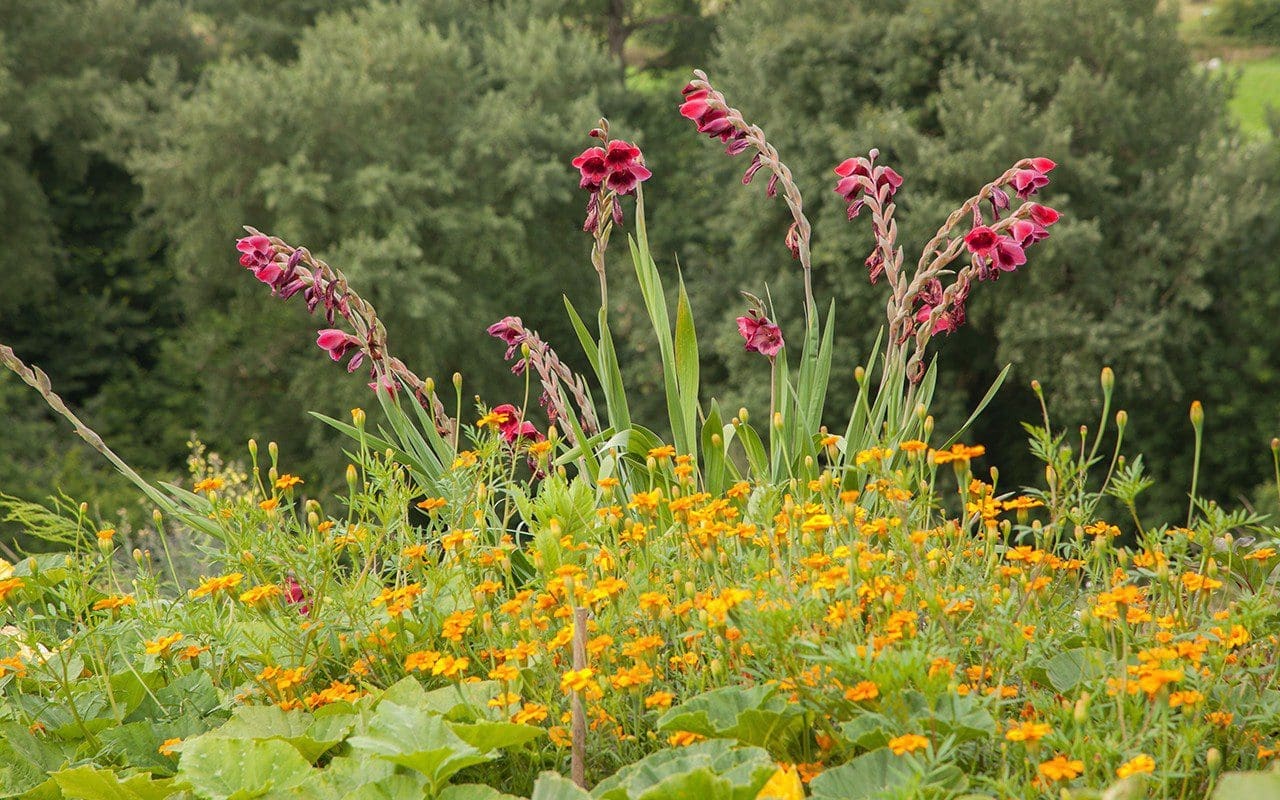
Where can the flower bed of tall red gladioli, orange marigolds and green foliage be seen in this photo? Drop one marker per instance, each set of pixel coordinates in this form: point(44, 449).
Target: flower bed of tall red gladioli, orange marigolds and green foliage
point(755, 606)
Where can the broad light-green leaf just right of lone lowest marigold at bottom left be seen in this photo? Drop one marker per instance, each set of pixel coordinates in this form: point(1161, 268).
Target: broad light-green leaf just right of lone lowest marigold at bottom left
point(235, 770)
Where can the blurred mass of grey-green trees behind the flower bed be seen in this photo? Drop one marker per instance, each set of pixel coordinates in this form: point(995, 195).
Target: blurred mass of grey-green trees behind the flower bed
point(423, 148)
